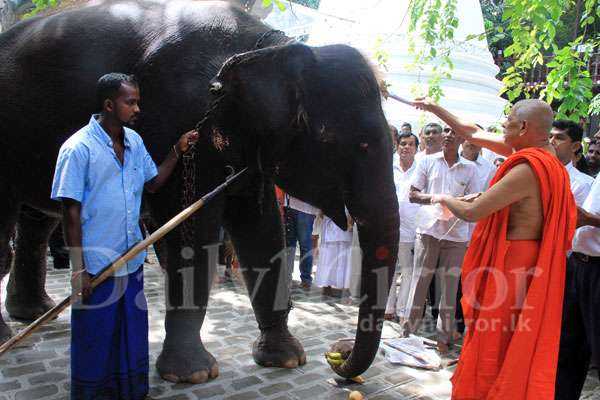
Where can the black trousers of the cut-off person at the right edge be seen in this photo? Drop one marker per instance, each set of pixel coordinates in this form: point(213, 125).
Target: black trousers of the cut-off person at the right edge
point(580, 332)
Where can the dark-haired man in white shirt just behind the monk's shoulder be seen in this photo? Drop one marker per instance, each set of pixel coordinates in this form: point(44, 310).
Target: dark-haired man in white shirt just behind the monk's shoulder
point(565, 137)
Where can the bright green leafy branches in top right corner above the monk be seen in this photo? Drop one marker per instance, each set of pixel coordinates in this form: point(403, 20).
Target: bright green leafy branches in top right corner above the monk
point(532, 25)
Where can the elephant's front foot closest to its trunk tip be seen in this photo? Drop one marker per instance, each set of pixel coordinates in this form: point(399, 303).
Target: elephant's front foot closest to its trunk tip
point(276, 347)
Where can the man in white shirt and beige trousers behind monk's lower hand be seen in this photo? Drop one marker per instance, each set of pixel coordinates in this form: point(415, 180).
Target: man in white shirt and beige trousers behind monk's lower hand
point(441, 244)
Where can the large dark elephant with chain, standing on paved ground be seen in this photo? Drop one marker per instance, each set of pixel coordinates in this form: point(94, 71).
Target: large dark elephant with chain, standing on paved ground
point(308, 119)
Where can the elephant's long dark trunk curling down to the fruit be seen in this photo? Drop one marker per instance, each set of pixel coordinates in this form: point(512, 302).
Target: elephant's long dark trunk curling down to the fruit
point(378, 227)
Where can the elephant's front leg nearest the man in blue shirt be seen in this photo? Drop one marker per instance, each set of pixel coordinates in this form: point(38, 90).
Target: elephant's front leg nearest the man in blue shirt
point(184, 357)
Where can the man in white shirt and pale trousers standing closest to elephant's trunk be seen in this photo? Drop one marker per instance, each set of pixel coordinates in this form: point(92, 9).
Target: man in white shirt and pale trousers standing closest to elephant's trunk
point(399, 301)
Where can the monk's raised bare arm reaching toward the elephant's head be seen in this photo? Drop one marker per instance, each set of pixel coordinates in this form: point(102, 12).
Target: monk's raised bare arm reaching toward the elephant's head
point(469, 131)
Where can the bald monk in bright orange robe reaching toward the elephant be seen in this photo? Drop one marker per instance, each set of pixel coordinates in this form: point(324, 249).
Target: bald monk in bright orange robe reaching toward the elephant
point(514, 271)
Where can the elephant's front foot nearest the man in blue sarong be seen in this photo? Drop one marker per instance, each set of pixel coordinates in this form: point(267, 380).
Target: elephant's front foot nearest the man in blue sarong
point(191, 365)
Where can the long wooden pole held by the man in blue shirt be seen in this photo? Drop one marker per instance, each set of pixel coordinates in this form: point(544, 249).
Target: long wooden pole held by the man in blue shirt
point(120, 262)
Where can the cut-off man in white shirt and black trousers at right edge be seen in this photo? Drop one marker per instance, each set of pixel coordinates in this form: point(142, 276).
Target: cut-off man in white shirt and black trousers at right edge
point(580, 333)
